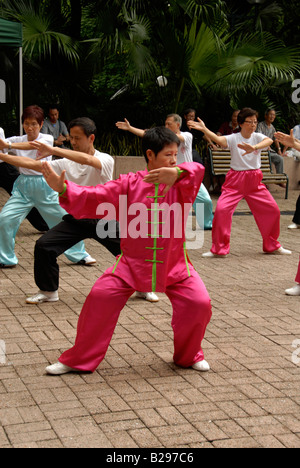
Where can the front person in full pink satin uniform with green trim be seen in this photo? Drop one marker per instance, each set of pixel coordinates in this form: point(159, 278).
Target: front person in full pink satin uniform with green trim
point(153, 253)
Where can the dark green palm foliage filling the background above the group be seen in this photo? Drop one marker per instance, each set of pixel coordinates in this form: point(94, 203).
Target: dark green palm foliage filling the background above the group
point(101, 58)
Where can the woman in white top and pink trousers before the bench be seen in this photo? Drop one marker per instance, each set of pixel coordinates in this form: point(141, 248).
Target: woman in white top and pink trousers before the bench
point(244, 181)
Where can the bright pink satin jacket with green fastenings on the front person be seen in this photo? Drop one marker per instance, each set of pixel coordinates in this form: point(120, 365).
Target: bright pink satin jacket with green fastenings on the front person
point(152, 224)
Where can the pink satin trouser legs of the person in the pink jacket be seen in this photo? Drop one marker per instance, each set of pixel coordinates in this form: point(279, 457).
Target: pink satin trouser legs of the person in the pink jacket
point(100, 313)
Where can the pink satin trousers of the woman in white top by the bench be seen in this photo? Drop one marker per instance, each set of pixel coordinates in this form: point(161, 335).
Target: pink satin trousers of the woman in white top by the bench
point(248, 185)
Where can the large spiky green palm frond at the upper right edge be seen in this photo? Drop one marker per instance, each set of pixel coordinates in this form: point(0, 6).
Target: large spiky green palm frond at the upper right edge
point(253, 63)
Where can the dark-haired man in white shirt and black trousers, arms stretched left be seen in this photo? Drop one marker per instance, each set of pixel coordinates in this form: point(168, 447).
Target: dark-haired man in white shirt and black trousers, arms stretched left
point(84, 166)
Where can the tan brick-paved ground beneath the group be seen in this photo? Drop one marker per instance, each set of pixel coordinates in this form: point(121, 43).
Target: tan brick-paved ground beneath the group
point(138, 397)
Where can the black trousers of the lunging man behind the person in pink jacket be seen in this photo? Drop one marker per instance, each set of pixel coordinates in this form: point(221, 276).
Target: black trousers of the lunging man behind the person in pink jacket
point(64, 236)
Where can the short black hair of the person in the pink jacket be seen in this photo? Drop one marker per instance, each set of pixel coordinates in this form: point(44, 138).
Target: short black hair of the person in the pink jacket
point(157, 138)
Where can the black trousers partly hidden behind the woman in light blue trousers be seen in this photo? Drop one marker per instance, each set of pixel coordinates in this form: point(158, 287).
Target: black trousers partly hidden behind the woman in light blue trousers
point(8, 176)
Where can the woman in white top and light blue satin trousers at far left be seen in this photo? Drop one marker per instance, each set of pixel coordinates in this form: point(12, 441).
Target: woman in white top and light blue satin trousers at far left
point(30, 190)
